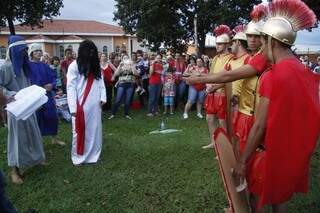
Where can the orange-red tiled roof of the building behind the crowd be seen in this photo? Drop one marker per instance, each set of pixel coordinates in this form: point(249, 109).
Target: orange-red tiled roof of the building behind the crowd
point(70, 26)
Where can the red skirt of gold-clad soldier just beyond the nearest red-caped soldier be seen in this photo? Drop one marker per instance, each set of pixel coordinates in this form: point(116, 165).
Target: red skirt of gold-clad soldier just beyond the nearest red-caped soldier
point(242, 126)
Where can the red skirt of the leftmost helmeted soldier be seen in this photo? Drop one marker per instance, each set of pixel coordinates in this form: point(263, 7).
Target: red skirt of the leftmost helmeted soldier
point(216, 104)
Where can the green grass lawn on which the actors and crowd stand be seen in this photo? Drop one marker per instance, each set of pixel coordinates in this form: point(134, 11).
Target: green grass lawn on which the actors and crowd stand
point(137, 172)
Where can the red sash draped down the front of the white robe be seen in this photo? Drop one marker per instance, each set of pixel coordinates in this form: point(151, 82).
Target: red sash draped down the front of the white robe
point(80, 121)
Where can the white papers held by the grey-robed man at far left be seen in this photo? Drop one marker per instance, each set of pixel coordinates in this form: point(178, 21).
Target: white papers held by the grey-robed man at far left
point(27, 101)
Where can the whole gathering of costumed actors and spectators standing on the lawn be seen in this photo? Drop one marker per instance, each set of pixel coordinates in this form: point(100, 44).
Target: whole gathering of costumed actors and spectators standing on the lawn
point(246, 90)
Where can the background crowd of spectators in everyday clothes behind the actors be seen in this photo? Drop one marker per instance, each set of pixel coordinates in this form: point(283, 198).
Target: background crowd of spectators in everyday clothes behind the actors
point(154, 79)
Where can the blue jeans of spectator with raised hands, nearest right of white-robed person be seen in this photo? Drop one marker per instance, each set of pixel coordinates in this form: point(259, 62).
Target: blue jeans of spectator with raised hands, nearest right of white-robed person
point(124, 92)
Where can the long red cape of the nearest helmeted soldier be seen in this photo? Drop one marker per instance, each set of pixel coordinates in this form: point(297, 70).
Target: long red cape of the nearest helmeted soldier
point(293, 127)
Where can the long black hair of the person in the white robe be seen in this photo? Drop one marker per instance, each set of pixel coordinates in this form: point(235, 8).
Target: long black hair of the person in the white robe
point(88, 59)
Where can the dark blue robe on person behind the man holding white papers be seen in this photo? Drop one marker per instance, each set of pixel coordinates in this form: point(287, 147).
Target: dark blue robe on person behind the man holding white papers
point(42, 74)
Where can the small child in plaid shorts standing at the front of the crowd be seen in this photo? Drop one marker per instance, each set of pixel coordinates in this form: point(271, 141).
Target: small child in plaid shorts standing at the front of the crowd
point(168, 91)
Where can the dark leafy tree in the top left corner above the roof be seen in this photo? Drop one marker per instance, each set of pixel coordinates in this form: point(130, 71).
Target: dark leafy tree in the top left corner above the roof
point(28, 12)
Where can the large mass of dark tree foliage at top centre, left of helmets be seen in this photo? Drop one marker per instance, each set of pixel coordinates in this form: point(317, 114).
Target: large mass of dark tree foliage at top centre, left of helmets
point(171, 22)
